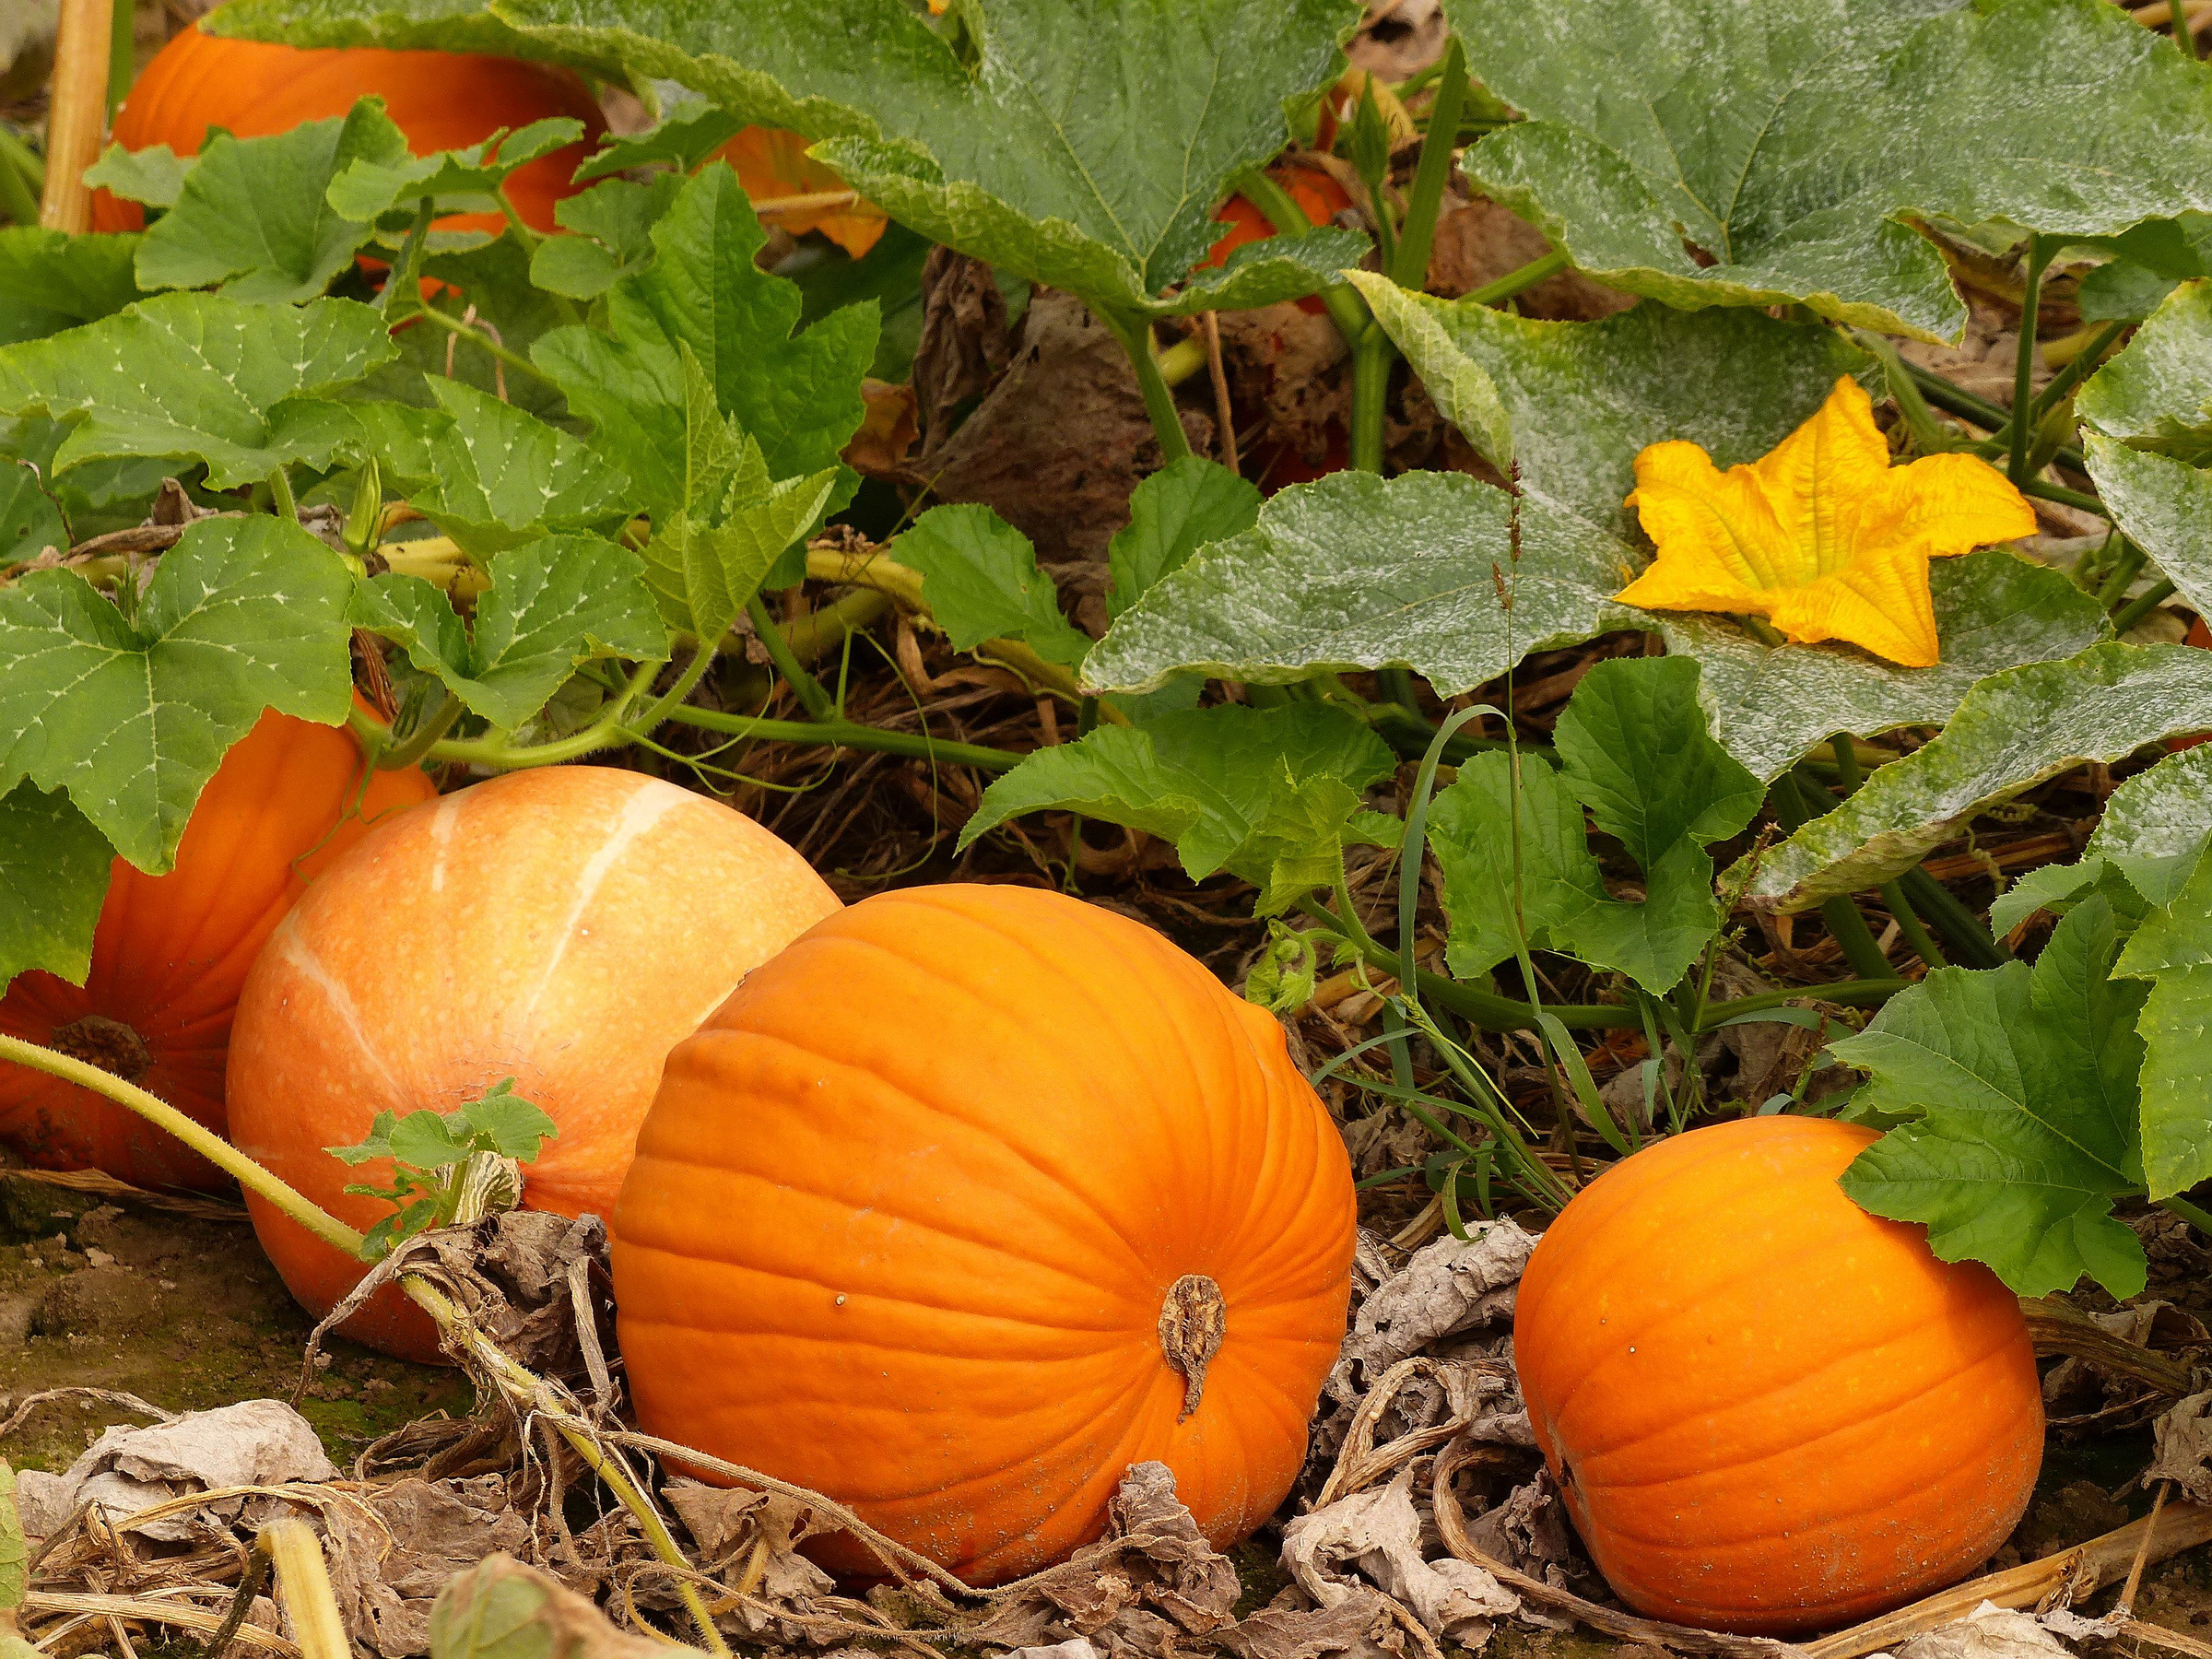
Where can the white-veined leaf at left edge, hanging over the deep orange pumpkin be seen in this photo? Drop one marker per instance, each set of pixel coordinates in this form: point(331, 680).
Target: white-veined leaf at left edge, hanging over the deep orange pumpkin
point(132, 716)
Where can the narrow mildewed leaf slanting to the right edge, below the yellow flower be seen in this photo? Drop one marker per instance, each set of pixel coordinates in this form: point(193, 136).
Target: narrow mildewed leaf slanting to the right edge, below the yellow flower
point(2010, 733)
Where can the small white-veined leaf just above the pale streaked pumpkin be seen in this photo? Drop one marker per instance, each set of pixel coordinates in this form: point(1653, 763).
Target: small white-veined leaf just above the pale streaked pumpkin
point(552, 607)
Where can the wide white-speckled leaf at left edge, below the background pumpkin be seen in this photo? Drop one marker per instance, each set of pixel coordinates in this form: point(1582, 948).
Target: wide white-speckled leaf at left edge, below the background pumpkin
point(198, 377)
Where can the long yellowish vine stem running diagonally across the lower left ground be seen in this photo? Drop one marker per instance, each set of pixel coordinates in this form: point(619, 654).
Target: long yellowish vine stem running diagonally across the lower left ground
point(517, 1384)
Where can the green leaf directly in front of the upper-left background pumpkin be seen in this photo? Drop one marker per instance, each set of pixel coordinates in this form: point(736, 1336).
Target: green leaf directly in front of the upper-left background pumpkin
point(253, 220)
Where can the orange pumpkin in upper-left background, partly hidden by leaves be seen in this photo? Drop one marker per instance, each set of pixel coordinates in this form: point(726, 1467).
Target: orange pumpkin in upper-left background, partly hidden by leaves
point(439, 101)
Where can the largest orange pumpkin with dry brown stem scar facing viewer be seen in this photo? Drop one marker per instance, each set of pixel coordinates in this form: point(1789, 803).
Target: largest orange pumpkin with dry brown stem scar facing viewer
point(972, 1200)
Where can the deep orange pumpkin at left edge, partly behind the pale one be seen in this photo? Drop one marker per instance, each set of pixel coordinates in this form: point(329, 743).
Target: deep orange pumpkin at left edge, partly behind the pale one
point(171, 954)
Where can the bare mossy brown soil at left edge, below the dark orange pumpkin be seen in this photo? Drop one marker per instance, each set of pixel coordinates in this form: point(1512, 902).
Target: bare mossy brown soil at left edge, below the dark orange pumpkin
point(182, 1313)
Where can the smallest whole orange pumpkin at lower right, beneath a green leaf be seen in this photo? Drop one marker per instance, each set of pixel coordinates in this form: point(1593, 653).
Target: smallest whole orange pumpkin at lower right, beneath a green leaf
point(1768, 1410)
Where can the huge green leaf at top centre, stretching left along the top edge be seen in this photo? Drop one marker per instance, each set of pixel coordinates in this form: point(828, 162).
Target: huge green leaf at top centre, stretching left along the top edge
point(1085, 145)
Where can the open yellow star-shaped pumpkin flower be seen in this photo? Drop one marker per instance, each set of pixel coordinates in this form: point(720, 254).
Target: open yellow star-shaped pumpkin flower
point(1822, 536)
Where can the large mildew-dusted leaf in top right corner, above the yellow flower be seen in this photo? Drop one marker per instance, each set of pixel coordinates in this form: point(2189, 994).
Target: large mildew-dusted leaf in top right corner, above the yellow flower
point(1793, 143)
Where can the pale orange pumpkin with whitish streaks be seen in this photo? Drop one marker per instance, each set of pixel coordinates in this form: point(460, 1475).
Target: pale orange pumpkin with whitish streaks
point(563, 928)
